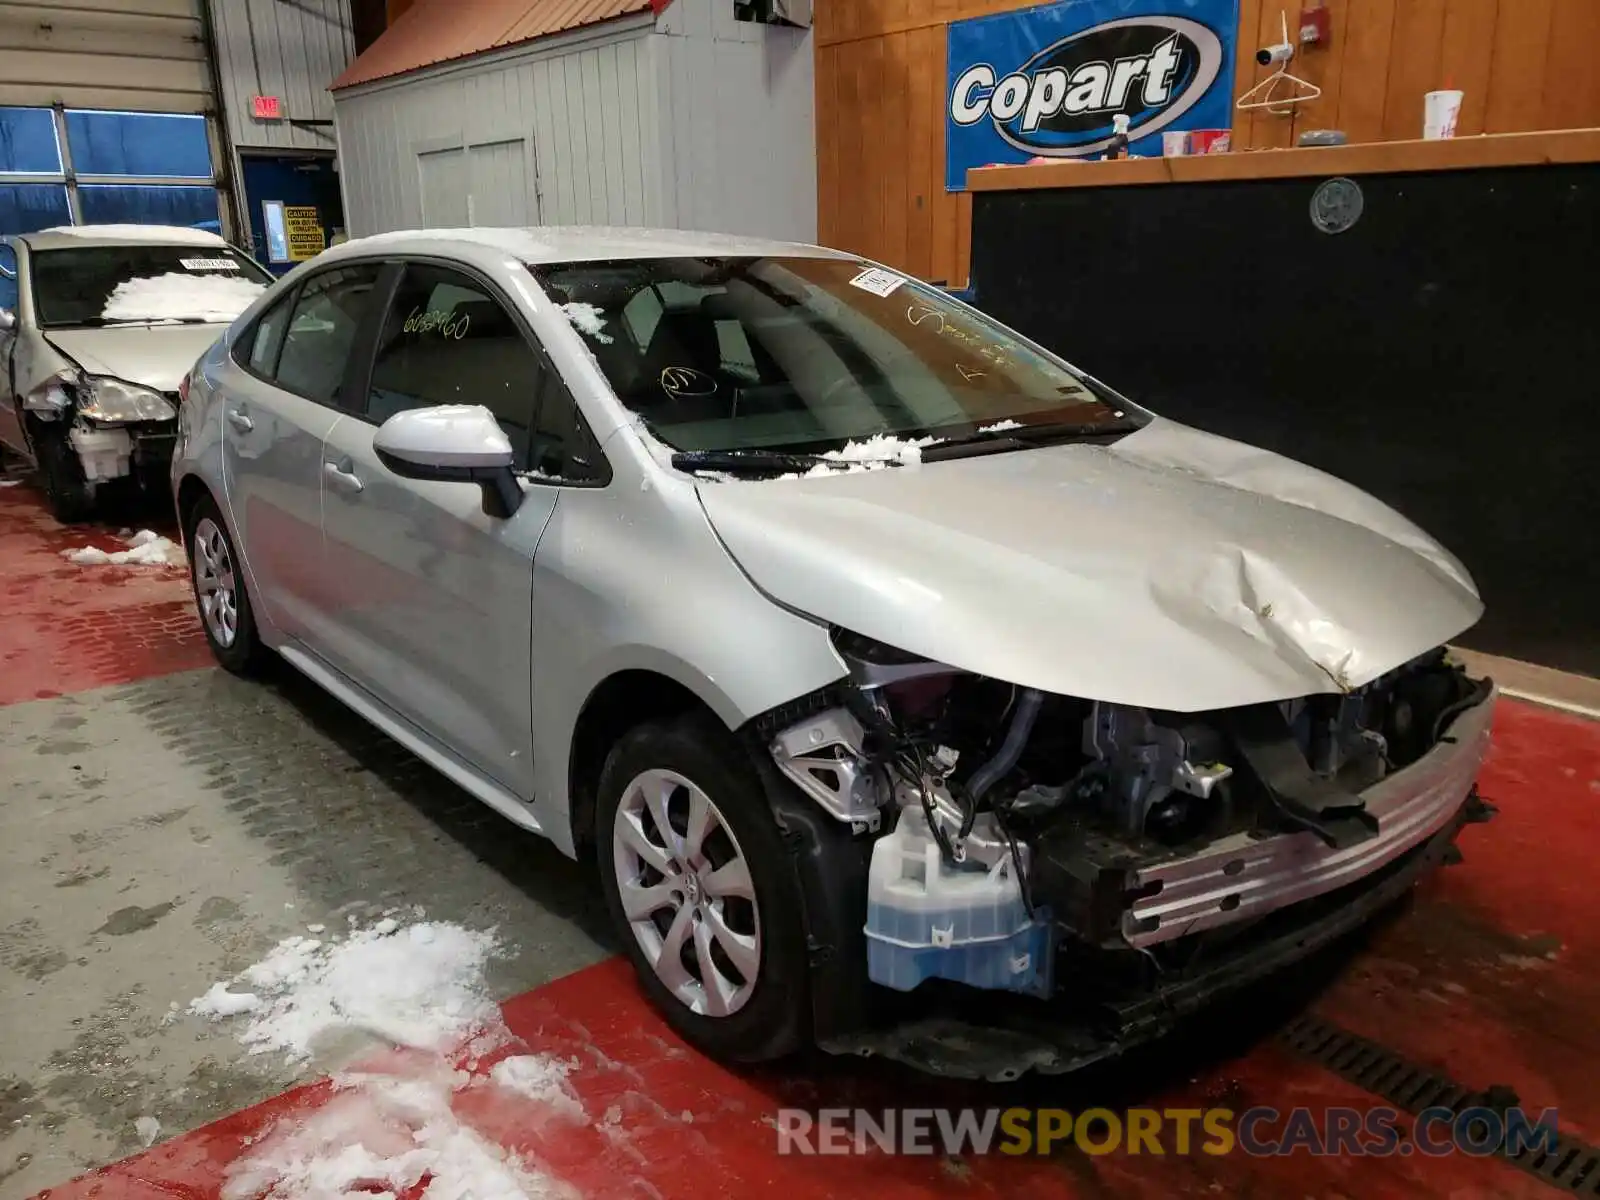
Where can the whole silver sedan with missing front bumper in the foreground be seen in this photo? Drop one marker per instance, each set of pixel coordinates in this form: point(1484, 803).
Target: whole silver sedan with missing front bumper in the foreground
point(884, 662)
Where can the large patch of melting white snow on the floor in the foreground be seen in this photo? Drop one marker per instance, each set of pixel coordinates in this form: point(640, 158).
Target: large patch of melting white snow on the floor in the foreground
point(391, 1127)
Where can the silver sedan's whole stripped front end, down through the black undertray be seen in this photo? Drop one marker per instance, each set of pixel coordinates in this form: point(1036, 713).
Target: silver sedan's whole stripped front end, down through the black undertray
point(1058, 879)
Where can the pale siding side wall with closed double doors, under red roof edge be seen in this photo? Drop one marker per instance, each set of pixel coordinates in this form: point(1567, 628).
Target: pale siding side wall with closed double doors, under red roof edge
point(559, 132)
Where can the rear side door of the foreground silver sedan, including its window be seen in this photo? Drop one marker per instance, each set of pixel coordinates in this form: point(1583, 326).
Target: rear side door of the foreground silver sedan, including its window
point(284, 396)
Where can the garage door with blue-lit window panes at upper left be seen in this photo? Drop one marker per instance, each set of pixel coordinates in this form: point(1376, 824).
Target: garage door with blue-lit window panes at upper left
point(102, 114)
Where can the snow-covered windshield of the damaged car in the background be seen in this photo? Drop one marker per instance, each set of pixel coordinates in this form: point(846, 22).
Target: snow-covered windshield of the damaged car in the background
point(106, 286)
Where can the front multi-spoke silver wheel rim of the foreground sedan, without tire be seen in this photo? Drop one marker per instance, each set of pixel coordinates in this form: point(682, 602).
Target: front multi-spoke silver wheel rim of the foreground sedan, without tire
point(686, 889)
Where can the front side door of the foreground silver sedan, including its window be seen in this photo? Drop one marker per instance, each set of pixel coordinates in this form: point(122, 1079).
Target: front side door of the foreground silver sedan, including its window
point(434, 614)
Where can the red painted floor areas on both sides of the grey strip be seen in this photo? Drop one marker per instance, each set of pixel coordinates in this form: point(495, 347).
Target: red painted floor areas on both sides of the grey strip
point(1494, 977)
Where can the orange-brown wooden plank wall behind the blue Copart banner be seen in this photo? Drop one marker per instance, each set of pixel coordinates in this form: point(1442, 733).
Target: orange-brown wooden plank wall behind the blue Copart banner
point(881, 76)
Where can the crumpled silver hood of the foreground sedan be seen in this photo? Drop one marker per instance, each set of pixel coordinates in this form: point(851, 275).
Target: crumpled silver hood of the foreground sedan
point(1174, 570)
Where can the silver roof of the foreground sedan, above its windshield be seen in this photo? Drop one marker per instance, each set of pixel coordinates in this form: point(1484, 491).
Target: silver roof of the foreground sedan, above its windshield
point(575, 244)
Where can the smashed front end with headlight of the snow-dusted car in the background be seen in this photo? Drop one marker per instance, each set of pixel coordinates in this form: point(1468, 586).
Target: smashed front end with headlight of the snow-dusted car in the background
point(116, 430)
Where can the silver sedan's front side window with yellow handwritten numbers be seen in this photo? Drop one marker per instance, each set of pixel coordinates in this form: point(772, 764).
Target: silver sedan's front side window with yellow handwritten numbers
point(449, 342)
